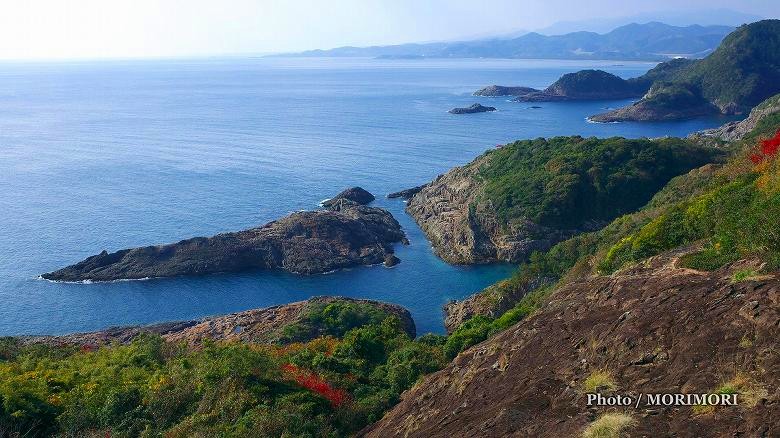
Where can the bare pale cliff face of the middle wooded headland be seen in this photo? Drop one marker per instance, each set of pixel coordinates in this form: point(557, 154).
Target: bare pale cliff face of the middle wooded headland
point(463, 227)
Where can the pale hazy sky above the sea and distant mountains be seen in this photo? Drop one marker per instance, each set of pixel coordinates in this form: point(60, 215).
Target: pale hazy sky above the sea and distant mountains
point(141, 28)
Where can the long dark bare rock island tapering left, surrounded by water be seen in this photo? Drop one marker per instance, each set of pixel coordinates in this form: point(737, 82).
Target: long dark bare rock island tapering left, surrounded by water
point(346, 233)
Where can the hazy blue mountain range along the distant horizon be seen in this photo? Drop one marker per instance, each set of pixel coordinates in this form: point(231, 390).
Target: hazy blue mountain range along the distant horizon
point(649, 41)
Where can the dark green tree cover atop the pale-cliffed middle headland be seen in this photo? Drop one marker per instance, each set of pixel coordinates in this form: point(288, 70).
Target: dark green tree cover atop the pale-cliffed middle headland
point(566, 182)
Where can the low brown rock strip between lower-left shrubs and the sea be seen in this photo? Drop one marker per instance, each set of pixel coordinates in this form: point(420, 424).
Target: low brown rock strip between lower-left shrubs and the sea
point(251, 326)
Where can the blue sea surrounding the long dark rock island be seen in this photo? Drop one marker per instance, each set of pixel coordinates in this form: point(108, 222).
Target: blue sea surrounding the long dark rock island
point(111, 155)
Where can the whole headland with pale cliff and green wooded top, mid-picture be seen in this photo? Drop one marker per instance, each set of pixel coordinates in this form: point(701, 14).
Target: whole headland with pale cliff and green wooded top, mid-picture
point(529, 195)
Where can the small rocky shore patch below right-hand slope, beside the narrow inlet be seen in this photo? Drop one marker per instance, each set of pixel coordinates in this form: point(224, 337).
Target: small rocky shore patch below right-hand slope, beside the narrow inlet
point(492, 302)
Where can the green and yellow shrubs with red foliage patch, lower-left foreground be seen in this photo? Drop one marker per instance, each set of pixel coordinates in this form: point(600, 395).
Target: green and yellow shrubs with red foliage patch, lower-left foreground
point(325, 387)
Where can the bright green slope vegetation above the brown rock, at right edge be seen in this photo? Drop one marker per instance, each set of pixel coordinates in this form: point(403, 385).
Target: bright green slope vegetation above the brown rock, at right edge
point(723, 208)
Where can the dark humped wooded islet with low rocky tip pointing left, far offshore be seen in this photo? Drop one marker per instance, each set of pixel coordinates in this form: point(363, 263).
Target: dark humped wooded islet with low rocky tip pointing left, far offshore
point(585, 85)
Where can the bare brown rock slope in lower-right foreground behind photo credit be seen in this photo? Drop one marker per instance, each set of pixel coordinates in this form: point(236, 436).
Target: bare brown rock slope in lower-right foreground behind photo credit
point(654, 328)
